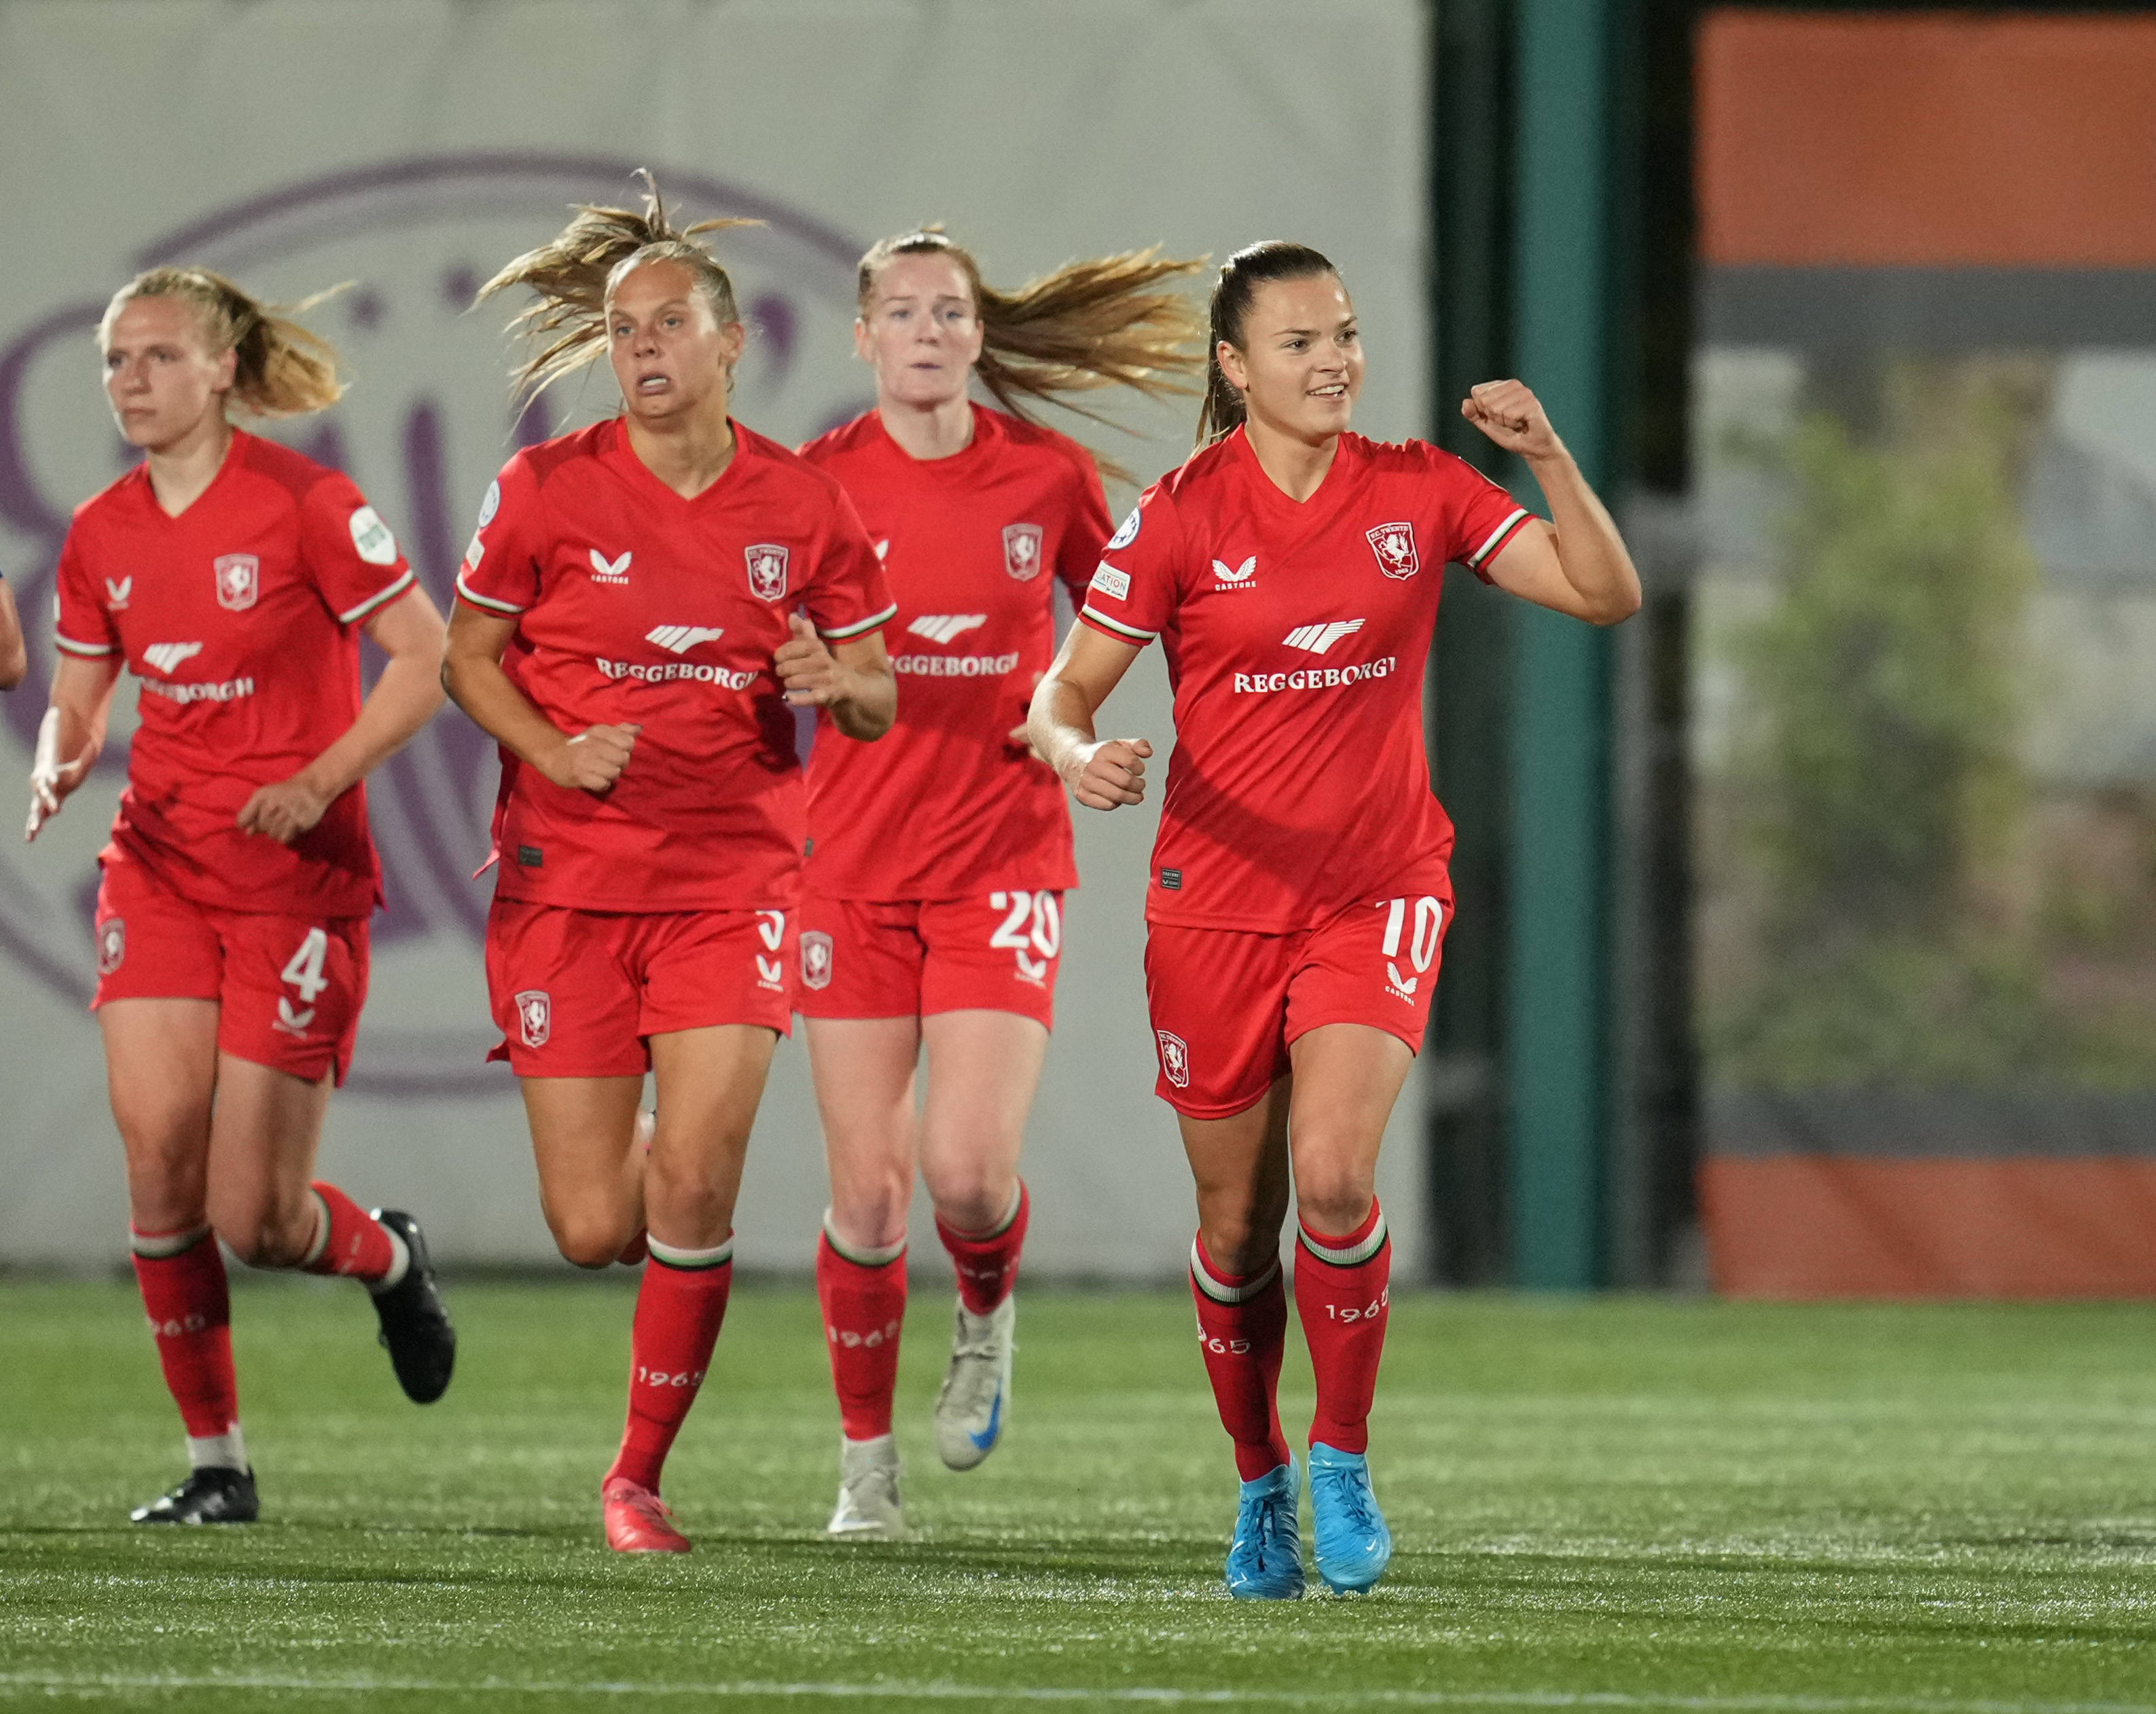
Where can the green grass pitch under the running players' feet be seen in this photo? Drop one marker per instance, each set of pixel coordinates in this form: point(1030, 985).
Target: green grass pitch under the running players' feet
point(1607, 1506)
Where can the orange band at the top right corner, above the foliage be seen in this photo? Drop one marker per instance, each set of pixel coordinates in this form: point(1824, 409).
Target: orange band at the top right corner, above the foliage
point(1926, 141)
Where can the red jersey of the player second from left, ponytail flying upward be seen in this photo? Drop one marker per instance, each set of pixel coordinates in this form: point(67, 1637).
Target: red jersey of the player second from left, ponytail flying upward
point(637, 607)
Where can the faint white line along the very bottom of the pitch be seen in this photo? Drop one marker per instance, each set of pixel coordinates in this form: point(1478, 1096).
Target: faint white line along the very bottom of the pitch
point(85, 1685)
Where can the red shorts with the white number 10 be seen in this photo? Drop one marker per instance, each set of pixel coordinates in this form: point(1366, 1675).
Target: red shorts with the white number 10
point(1228, 1004)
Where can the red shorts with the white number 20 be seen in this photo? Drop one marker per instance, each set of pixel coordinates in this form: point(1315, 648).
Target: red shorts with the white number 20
point(991, 952)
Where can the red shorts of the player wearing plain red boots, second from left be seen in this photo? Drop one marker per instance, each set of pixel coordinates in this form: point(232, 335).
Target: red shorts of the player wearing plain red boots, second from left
point(581, 993)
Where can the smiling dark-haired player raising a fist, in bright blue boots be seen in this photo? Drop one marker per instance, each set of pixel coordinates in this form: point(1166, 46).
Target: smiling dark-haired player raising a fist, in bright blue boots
point(1299, 887)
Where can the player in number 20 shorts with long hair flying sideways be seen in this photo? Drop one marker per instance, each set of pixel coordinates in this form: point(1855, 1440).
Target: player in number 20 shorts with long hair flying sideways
point(939, 859)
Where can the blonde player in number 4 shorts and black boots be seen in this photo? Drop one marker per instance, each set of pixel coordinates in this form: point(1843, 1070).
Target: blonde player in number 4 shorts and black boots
point(234, 579)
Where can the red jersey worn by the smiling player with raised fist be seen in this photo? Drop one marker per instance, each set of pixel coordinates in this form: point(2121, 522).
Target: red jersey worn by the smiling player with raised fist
point(1297, 637)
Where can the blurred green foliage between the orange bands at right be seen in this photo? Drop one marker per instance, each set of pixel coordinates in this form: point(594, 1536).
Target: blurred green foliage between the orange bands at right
point(1881, 801)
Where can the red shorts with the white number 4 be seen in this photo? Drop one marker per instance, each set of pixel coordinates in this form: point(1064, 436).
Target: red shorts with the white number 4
point(288, 989)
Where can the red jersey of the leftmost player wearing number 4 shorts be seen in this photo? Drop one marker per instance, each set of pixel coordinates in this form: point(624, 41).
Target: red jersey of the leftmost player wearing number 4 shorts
point(240, 620)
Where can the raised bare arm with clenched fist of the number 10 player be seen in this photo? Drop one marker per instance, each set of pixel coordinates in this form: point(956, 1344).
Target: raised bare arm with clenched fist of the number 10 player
point(1575, 564)
